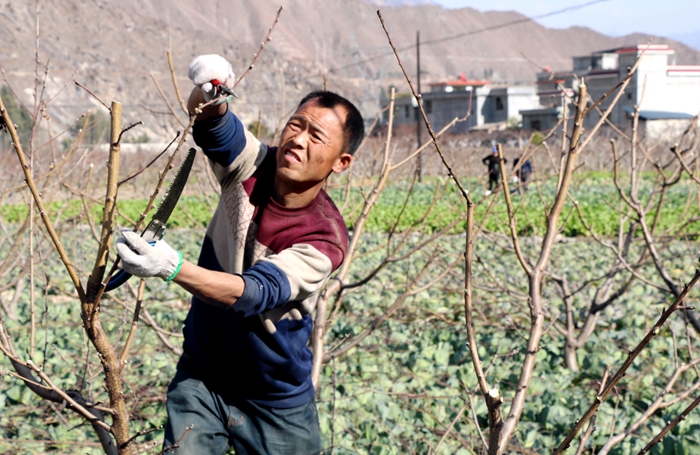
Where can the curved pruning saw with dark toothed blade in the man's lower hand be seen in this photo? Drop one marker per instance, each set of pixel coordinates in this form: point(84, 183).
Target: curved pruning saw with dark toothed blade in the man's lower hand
point(156, 228)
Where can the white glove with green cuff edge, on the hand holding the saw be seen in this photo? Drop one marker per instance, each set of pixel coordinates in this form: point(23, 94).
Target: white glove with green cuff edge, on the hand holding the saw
point(139, 258)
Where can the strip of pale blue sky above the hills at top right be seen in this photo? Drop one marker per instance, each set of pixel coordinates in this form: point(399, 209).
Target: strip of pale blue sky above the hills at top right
point(613, 17)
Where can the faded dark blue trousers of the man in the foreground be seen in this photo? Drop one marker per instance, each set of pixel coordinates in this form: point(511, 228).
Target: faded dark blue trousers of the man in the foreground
point(247, 427)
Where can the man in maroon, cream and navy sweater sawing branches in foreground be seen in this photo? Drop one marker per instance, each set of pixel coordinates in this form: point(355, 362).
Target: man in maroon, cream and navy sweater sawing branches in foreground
point(244, 378)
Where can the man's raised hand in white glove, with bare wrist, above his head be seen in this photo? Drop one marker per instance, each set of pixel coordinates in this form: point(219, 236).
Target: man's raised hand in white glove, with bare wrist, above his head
point(203, 70)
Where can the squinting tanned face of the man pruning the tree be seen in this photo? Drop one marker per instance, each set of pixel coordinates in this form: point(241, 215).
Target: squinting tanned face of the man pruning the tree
point(312, 146)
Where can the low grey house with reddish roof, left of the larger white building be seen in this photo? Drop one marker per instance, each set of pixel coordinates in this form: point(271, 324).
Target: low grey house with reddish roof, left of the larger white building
point(487, 105)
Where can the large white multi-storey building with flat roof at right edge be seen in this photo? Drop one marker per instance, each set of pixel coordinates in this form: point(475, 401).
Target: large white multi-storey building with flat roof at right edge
point(659, 87)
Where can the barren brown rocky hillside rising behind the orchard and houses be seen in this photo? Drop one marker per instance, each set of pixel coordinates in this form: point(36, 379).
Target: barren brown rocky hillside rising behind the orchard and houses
point(113, 47)
